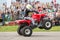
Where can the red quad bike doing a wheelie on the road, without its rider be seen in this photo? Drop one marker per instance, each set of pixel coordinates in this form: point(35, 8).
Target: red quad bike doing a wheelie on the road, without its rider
point(26, 26)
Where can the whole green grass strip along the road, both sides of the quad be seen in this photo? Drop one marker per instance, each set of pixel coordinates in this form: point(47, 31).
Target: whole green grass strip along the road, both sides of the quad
point(14, 29)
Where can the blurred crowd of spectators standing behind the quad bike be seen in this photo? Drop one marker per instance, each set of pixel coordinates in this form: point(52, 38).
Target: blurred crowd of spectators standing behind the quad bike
point(18, 9)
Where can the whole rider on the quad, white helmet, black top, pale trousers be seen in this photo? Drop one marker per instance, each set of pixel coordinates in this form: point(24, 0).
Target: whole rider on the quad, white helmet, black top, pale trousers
point(29, 9)
